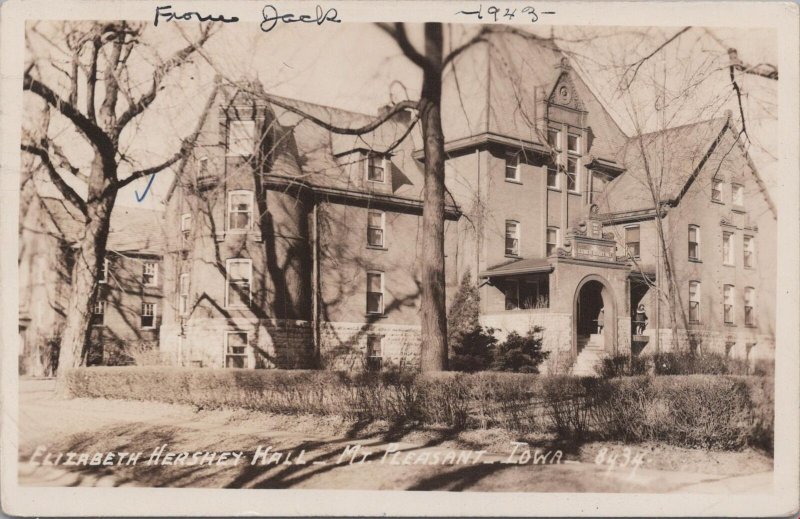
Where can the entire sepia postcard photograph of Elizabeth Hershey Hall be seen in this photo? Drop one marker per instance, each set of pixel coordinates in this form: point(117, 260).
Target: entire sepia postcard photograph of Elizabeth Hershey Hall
point(276, 248)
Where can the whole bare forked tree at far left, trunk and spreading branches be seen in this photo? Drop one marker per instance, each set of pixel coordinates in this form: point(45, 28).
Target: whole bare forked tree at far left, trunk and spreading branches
point(102, 99)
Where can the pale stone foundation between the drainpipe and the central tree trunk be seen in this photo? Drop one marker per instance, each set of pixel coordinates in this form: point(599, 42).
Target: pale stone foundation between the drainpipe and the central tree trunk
point(343, 346)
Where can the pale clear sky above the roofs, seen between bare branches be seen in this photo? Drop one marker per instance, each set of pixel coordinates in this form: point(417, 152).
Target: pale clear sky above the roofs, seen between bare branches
point(358, 67)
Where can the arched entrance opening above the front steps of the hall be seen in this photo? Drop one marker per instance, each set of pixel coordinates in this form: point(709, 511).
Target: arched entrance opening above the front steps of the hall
point(594, 305)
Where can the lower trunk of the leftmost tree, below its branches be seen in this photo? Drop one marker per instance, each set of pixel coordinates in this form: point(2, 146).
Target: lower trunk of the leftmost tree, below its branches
point(85, 273)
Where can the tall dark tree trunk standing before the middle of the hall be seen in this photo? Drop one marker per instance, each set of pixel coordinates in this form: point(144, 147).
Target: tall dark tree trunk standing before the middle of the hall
point(434, 314)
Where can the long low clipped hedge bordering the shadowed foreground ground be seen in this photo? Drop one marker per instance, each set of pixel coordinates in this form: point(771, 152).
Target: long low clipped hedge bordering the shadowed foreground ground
point(719, 412)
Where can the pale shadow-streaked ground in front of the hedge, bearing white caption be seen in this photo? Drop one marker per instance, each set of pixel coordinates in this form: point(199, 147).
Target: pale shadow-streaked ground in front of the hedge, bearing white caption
point(309, 452)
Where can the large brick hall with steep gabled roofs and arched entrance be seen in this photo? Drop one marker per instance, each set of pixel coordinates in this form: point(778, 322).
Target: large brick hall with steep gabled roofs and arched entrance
point(292, 246)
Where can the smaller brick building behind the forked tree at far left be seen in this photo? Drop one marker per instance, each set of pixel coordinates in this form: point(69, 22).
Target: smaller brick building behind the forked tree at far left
point(126, 314)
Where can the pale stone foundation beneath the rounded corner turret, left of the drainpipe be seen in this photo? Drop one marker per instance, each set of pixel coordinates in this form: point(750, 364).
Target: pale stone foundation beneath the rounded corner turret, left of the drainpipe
point(274, 343)
